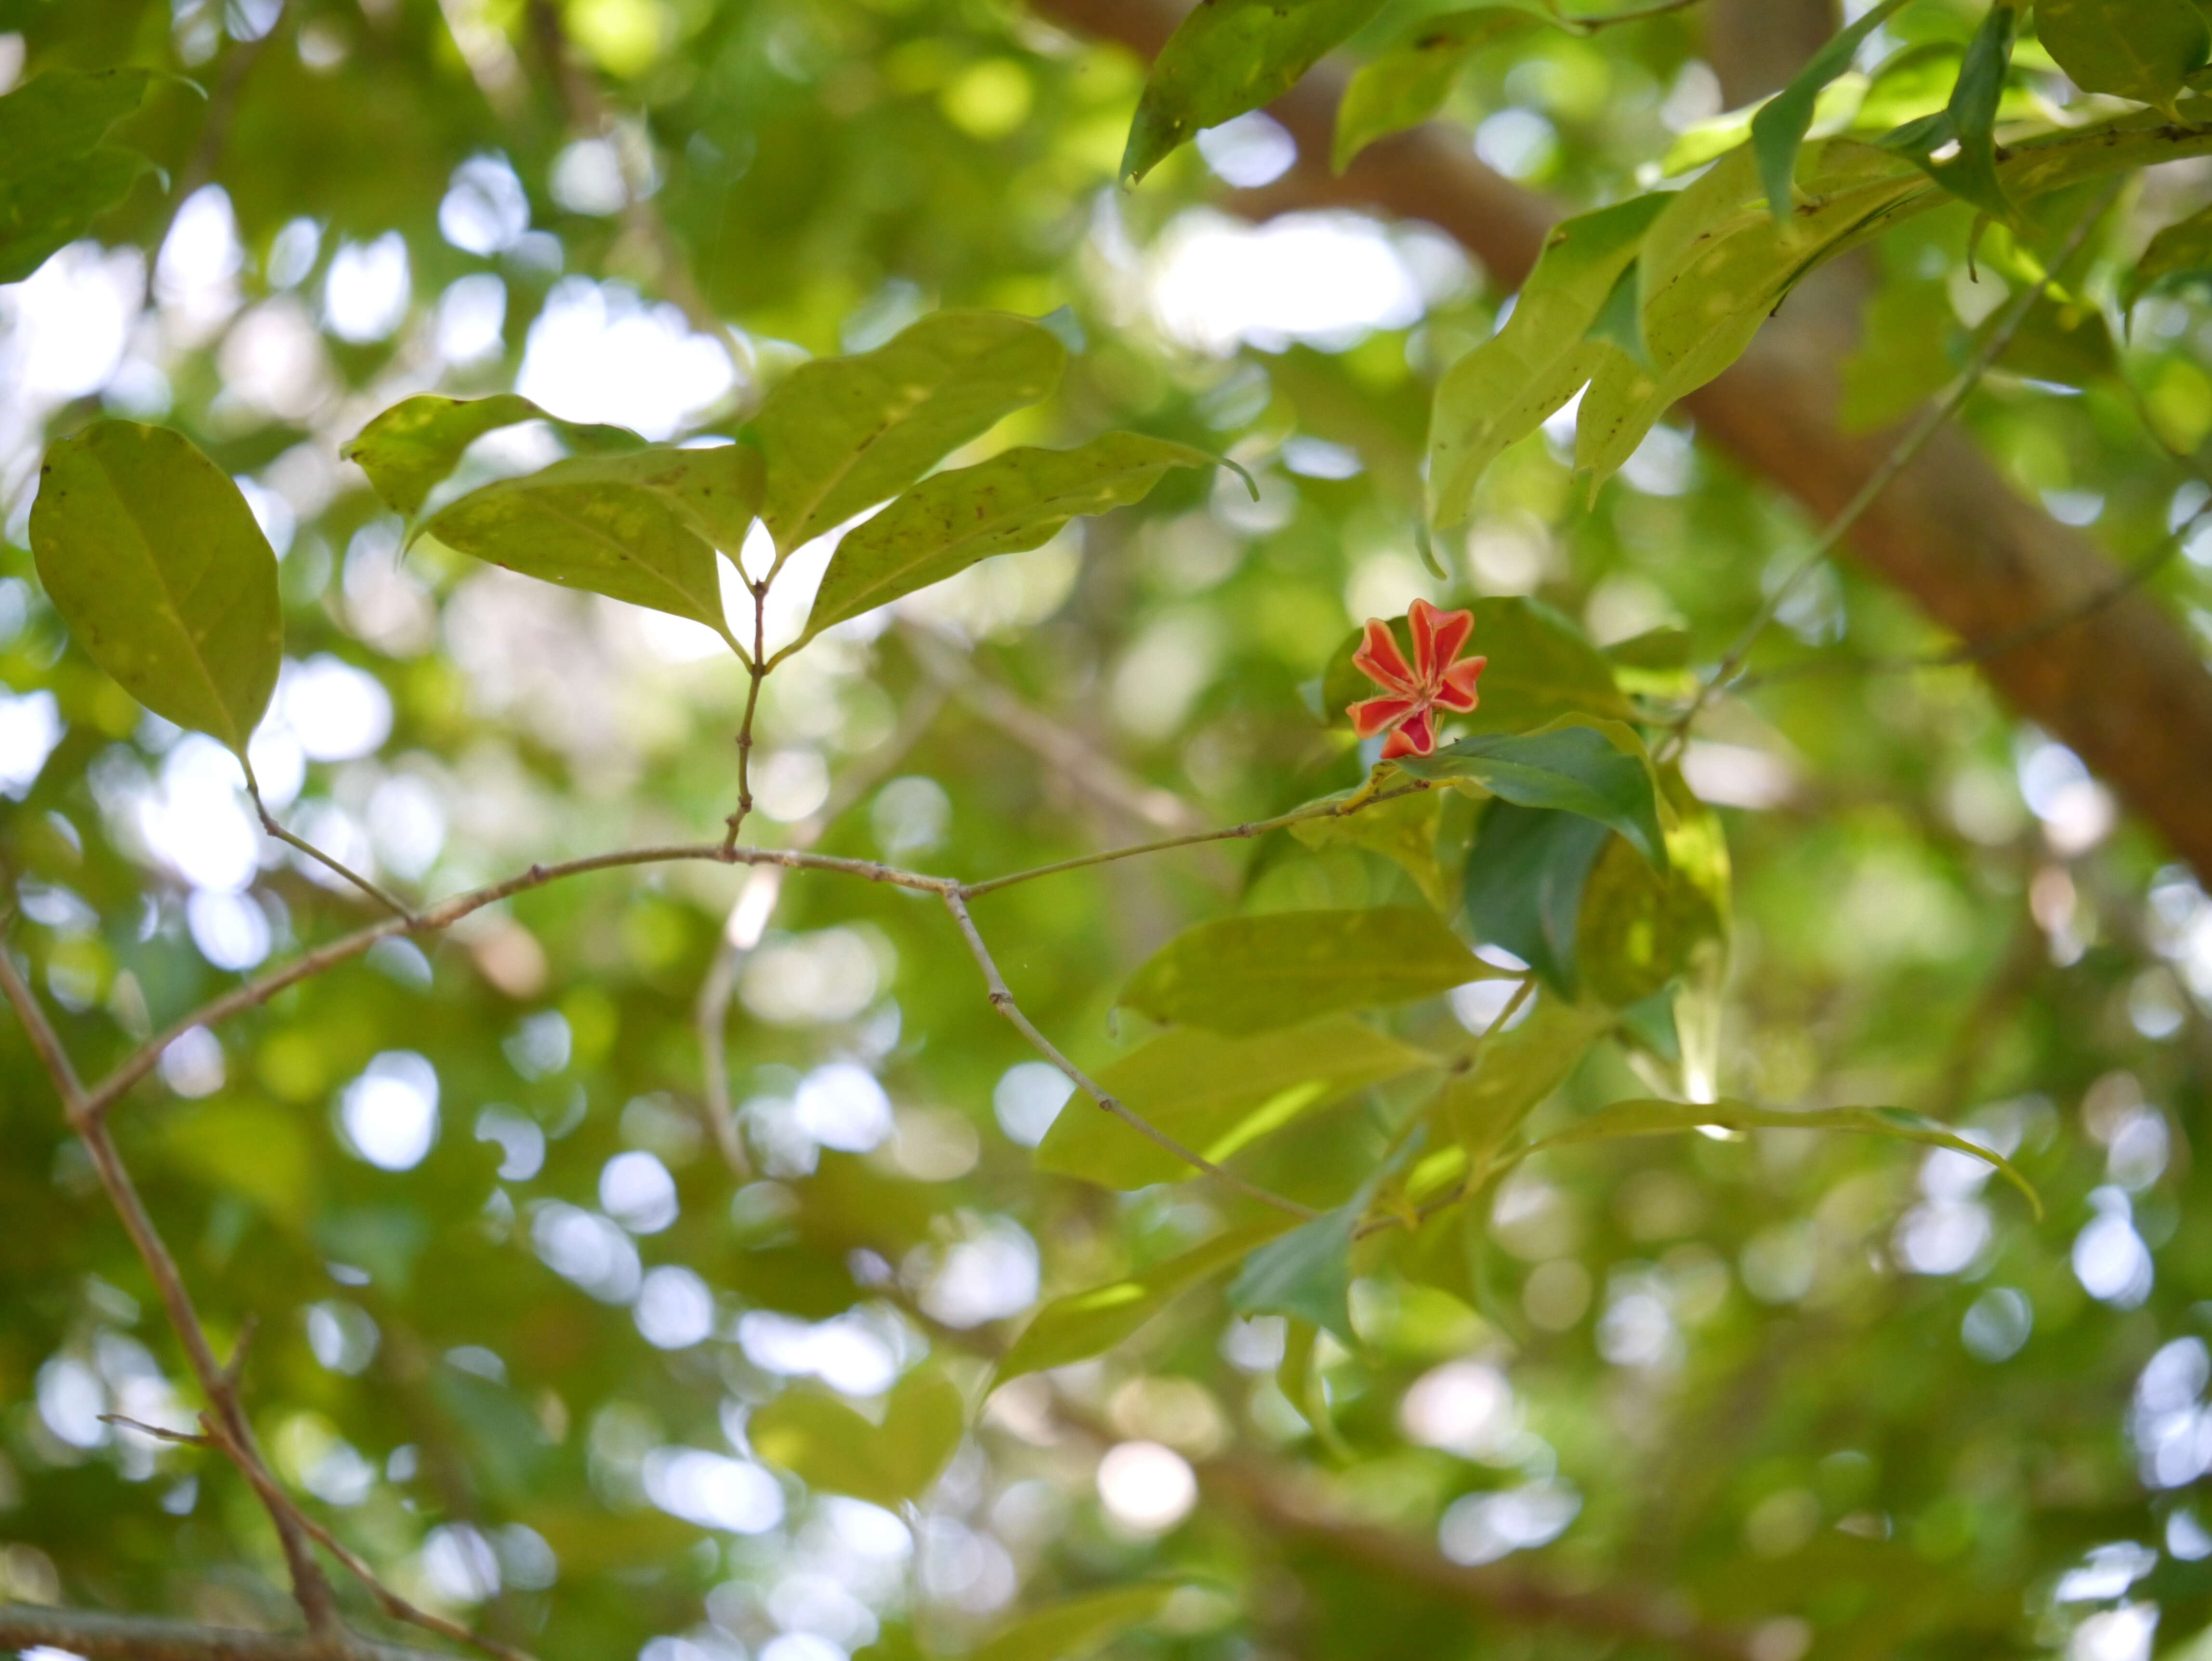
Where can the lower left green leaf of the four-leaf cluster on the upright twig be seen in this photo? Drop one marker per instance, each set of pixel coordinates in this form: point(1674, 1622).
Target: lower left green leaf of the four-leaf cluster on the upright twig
point(627, 527)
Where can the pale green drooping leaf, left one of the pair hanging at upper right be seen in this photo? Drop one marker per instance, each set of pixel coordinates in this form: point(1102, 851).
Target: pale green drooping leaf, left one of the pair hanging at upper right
point(1512, 384)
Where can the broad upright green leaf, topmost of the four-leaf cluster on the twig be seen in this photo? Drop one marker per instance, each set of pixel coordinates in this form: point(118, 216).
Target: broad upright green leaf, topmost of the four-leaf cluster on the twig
point(844, 435)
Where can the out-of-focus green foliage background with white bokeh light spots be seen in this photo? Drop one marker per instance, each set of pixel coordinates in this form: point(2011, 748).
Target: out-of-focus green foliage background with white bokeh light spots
point(1775, 1394)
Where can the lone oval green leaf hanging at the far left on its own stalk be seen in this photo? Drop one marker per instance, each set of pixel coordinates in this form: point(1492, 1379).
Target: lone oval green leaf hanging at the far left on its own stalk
point(160, 572)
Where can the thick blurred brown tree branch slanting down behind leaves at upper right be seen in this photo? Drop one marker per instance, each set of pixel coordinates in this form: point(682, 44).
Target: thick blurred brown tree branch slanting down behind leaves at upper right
point(2125, 689)
